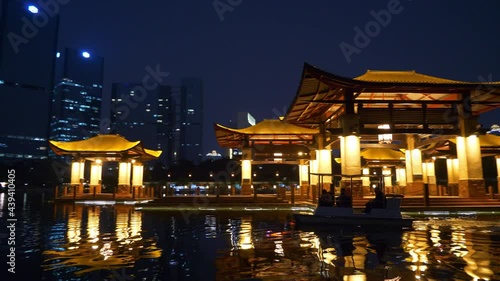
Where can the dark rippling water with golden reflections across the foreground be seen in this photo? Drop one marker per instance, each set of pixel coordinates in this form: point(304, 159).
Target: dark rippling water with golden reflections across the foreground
point(80, 242)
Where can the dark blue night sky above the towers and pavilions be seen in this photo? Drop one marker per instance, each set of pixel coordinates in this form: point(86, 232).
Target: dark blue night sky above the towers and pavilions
point(252, 59)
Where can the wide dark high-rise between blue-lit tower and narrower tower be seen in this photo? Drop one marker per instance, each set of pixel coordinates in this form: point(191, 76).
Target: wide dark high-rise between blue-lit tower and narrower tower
point(146, 115)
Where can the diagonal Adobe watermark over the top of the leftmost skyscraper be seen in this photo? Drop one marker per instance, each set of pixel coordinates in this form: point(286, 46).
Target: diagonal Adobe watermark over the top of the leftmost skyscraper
point(41, 12)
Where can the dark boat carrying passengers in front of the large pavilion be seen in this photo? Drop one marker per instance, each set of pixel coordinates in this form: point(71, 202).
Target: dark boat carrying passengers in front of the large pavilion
point(329, 215)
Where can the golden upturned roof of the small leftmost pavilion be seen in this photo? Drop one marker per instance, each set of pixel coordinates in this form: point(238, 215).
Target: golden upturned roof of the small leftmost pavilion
point(108, 146)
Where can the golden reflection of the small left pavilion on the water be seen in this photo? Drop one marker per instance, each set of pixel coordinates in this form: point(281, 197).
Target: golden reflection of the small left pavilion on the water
point(86, 249)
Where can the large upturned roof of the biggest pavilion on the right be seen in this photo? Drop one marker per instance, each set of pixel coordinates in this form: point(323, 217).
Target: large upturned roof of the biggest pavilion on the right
point(320, 96)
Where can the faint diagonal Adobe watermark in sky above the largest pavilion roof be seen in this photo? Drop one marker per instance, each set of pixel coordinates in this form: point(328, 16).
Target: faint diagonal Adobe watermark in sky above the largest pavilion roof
point(372, 29)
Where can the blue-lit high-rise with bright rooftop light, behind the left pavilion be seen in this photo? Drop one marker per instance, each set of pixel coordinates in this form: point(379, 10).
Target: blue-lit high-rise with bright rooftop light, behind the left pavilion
point(76, 102)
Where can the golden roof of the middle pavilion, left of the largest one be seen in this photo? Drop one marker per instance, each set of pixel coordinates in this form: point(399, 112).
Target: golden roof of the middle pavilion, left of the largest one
point(265, 132)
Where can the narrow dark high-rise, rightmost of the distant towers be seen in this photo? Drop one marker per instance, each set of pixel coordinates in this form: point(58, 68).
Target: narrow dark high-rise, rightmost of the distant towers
point(191, 120)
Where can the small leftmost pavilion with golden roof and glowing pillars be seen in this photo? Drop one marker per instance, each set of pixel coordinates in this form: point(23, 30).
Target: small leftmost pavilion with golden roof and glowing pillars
point(106, 148)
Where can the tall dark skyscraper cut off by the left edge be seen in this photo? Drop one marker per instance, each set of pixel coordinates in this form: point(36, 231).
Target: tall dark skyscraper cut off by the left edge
point(28, 40)
